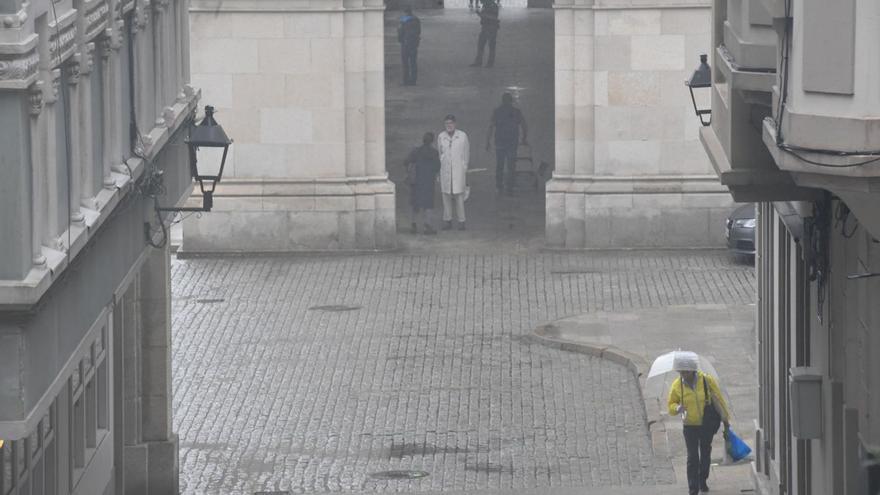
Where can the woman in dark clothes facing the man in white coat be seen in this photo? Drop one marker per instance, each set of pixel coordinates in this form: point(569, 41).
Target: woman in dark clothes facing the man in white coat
point(423, 165)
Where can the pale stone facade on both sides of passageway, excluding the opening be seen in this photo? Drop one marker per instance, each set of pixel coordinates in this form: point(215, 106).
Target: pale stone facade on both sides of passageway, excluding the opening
point(303, 82)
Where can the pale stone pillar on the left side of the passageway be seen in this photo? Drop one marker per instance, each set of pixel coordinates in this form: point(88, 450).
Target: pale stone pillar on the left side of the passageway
point(300, 89)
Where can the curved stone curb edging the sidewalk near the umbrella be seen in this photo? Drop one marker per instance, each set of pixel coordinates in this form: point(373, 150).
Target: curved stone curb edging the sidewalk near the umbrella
point(635, 363)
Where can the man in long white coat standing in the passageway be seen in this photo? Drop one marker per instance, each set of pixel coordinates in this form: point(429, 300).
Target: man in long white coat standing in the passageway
point(455, 154)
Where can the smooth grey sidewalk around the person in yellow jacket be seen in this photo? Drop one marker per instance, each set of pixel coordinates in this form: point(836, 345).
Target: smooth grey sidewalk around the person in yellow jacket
point(722, 333)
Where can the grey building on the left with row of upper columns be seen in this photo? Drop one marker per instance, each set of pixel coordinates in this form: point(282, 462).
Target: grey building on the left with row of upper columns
point(93, 103)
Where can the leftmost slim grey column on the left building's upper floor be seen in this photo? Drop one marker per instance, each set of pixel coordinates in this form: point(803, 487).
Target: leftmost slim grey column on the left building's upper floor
point(38, 171)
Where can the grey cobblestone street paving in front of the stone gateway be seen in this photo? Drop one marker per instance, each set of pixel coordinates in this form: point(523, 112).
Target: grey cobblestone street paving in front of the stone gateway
point(309, 373)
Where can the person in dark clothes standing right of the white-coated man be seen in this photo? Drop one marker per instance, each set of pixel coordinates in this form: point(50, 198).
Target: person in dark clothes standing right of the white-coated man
point(505, 125)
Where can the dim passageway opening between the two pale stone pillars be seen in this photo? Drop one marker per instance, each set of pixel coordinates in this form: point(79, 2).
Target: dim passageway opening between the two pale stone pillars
point(447, 84)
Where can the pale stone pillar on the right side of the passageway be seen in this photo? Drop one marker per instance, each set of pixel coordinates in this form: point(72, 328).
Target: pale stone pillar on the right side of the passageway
point(629, 170)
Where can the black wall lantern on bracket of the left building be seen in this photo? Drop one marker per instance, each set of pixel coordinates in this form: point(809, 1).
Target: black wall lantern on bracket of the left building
point(207, 134)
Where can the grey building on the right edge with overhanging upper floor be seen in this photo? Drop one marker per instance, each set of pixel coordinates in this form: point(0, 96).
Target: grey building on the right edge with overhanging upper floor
point(794, 129)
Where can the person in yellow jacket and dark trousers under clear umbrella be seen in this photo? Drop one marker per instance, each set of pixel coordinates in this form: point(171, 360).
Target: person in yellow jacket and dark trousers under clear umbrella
point(698, 398)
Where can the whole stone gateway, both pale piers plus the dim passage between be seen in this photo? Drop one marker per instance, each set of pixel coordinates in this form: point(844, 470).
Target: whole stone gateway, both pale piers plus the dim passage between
point(306, 92)
